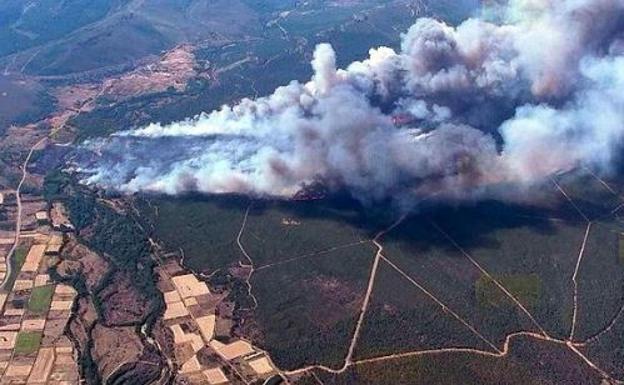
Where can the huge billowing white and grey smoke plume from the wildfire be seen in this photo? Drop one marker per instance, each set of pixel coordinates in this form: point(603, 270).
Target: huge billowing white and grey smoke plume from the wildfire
point(495, 105)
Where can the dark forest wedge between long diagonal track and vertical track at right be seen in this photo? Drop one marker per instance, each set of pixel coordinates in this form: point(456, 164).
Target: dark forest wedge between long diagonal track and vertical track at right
point(506, 240)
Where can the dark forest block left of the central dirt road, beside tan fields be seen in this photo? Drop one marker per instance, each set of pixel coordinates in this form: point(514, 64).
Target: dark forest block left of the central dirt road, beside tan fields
point(313, 255)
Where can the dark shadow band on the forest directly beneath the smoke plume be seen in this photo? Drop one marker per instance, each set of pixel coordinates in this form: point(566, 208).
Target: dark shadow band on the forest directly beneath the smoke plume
point(472, 224)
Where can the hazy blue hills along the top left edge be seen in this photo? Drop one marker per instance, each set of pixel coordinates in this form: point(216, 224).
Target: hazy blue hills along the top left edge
point(96, 35)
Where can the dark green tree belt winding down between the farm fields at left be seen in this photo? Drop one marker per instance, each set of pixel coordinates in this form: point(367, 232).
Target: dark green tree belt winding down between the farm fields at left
point(115, 235)
